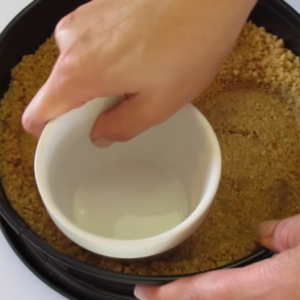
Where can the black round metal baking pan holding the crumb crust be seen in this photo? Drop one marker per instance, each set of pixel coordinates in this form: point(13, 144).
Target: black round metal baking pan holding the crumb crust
point(73, 278)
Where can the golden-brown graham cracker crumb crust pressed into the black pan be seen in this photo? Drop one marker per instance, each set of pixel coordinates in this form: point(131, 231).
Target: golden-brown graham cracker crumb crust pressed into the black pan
point(253, 105)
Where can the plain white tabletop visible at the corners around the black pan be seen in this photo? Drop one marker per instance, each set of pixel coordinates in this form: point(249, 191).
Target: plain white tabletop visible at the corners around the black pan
point(16, 281)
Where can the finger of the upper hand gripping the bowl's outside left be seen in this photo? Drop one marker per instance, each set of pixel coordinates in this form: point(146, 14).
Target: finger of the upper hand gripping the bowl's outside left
point(60, 94)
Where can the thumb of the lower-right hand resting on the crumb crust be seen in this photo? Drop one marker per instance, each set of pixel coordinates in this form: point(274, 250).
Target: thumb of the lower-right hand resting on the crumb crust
point(279, 236)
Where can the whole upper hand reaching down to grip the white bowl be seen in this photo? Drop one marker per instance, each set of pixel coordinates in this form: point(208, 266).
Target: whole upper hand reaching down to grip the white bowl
point(160, 54)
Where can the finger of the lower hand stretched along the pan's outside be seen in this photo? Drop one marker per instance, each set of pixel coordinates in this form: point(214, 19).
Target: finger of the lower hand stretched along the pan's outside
point(274, 278)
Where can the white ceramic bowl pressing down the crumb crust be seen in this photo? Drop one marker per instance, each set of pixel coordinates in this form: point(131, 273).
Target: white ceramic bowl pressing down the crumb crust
point(131, 200)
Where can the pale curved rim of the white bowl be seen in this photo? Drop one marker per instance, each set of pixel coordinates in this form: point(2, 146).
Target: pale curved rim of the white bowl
point(146, 246)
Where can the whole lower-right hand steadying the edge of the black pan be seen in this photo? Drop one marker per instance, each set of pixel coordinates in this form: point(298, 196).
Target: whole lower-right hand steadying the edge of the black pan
point(276, 278)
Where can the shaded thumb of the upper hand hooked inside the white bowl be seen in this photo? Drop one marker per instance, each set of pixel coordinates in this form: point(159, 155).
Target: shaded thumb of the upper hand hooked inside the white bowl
point(134, 115)
